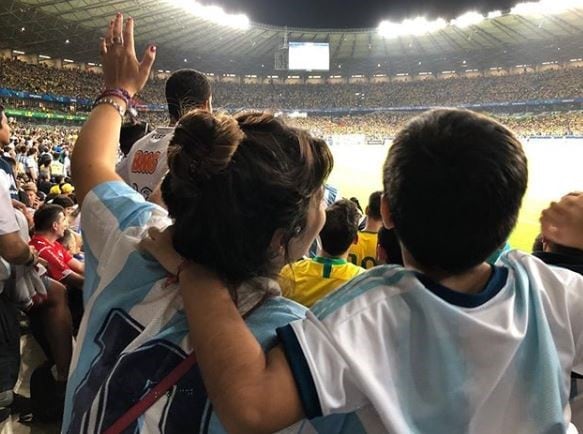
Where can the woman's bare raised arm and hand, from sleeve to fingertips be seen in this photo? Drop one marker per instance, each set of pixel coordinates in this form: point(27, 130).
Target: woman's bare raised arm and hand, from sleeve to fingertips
point(95, 152)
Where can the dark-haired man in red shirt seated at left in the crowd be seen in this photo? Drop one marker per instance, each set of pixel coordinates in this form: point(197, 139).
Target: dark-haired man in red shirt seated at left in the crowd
point(50, 224)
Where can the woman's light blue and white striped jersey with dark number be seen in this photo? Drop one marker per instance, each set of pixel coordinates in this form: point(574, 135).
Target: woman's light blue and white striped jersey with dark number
point(134, 331)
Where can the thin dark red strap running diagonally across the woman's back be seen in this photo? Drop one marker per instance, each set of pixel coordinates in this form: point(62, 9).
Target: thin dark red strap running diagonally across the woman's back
point(152, 396)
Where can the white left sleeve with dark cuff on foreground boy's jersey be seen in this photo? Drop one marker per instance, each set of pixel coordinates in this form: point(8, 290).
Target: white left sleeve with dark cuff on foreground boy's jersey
point(322, 372)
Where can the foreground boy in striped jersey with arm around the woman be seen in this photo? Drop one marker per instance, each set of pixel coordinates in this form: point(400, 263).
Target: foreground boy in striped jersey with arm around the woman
point(449, 344)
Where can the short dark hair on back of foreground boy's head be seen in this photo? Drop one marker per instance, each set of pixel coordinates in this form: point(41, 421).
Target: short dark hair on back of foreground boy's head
point(455, 181)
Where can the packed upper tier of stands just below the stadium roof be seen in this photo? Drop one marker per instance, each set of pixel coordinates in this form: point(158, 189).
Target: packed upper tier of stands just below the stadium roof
point(563, 83)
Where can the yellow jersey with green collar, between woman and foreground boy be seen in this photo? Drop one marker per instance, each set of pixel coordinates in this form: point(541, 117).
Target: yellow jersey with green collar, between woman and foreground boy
point(309, 280)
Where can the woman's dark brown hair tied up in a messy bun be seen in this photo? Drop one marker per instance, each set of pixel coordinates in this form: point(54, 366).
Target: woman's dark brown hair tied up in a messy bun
point(233, 181)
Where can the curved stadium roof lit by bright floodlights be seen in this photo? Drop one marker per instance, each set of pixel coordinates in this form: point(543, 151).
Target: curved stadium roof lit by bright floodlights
point(71, 28)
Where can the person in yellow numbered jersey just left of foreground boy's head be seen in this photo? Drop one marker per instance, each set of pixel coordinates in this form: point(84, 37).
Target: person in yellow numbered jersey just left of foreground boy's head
point(363, 252)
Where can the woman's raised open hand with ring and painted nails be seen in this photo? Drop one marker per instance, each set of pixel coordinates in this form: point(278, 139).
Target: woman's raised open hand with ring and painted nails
point(121, 68)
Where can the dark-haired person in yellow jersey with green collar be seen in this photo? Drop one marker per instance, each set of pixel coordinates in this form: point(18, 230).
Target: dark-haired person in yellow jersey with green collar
point(309, 280)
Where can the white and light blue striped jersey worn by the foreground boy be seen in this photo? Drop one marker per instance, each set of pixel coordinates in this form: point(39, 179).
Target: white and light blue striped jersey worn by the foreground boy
point(407, 355)
